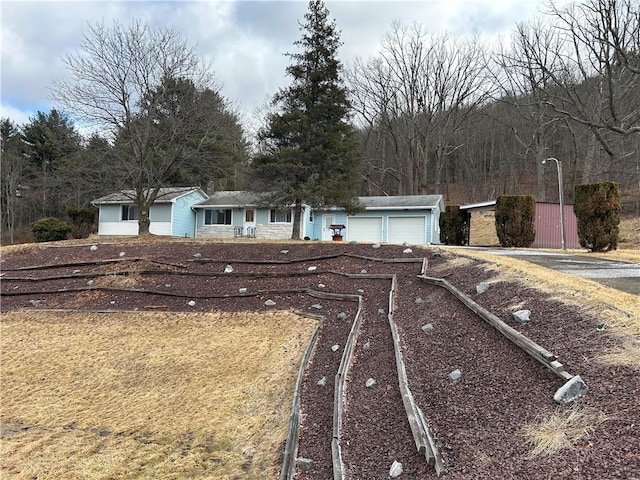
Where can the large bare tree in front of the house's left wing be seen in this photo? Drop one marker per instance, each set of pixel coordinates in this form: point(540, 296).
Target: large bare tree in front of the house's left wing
point(128, 80)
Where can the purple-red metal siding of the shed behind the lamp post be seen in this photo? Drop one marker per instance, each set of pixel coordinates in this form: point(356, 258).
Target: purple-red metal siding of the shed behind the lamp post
point(548, 226)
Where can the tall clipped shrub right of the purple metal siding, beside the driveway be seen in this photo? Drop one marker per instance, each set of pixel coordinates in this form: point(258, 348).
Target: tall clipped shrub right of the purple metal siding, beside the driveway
point(597, 208)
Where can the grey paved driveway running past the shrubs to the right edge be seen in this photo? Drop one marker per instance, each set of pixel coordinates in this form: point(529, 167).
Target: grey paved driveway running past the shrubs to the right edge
point(623, 276)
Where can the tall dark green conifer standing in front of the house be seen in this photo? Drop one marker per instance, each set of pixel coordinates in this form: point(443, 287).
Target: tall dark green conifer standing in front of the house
point(309, 150)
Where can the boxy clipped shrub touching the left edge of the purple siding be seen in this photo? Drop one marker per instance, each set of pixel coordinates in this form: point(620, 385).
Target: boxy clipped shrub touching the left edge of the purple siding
point(515, 217)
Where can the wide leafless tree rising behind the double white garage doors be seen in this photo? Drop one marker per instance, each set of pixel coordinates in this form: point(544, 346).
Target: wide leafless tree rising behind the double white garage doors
point(416, 96)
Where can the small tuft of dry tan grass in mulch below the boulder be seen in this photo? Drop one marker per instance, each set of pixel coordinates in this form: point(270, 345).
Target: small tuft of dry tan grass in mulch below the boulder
point(561, 431)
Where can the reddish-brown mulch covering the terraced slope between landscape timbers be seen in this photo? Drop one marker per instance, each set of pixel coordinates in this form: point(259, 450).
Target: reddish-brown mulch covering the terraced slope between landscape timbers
point(477, 421)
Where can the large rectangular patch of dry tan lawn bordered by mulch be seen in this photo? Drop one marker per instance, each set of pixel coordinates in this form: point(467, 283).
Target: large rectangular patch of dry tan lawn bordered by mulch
point(148, 396)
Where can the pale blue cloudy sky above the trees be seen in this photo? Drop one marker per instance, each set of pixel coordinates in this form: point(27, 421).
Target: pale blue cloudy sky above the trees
point(246, 40)
